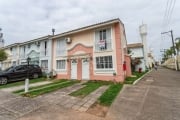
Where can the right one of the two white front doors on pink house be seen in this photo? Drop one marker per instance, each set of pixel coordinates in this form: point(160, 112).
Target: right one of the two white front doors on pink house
point(85, 69)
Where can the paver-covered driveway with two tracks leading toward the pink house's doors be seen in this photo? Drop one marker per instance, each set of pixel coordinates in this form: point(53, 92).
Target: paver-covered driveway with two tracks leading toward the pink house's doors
point(53, 106)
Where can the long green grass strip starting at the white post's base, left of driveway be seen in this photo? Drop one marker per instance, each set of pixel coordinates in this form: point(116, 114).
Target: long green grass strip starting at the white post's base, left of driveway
point(52, 88)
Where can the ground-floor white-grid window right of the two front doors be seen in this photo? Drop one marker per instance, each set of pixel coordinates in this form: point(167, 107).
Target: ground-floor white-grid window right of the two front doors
point(104, 62)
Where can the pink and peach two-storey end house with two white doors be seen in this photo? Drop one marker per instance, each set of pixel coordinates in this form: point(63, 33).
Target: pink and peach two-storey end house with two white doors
point(95, 52)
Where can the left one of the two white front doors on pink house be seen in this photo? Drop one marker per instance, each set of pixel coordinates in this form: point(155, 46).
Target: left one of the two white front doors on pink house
point(74, 69)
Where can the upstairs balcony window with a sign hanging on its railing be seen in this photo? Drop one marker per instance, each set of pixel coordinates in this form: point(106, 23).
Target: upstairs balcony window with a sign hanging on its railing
point(103, 40)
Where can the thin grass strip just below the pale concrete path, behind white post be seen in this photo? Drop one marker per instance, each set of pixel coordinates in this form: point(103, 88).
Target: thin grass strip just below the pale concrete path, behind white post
point(41, 86)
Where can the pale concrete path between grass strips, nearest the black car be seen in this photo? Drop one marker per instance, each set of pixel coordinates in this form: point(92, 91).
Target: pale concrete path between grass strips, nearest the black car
point(20, 87)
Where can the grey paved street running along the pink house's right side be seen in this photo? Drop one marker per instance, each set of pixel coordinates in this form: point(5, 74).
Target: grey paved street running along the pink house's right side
point(155, 97)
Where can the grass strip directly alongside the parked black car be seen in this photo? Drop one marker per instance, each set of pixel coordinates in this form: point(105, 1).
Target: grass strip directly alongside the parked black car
point(13, 84)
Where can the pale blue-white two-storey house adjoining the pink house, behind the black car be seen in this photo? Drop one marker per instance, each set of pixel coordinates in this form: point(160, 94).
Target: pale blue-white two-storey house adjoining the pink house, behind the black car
point(39, 50)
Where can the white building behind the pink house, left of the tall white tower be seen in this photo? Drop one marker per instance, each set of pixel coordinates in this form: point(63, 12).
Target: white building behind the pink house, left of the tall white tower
point(136, 52)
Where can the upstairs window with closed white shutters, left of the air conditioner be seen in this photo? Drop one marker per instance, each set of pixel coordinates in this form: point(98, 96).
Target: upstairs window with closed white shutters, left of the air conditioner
point(61, 47)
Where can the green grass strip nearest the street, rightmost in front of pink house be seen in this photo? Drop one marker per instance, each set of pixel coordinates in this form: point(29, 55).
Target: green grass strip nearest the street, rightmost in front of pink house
point(110, 94)
